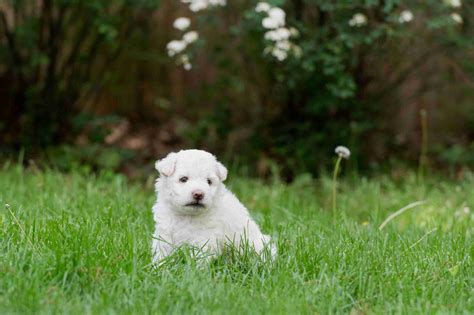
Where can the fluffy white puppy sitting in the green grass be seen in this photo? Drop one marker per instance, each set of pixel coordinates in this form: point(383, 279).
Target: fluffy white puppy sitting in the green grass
point(195, 208)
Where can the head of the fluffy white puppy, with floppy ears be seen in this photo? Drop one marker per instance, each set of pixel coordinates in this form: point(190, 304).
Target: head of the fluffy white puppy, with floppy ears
point(190, 180)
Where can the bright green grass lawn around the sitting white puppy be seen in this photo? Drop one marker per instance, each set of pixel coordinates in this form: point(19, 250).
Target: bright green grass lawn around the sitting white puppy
point(80, 243)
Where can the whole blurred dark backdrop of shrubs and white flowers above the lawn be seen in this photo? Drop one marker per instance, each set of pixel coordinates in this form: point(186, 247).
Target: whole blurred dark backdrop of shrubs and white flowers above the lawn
point(273, 86)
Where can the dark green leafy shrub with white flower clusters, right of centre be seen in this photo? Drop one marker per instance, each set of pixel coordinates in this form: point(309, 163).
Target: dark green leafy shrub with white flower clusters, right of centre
point(313, 59)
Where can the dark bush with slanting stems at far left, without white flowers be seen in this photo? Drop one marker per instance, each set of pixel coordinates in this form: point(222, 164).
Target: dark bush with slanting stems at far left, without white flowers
point(54, 54)
